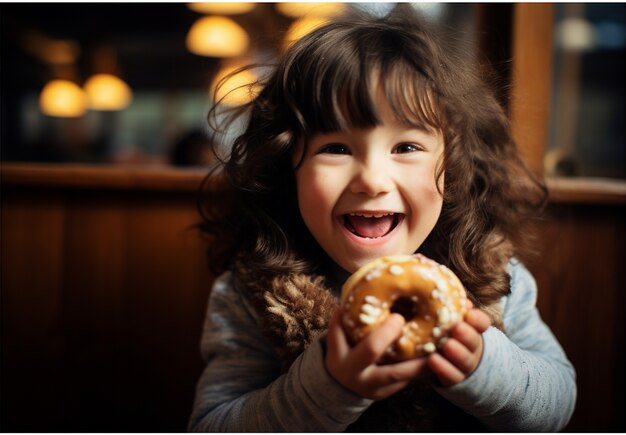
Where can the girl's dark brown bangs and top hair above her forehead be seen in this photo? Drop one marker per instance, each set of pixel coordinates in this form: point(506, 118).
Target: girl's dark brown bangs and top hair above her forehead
point(337, 85)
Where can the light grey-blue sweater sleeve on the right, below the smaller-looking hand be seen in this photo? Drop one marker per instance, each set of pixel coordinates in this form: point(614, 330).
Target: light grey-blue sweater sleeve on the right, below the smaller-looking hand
point(524, 381)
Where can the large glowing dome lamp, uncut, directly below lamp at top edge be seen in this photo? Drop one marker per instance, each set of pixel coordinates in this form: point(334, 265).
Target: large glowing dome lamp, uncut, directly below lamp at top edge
point(216, 36)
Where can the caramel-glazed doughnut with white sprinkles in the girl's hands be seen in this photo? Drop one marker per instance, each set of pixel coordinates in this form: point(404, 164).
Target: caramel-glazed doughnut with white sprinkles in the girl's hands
point(427, 294)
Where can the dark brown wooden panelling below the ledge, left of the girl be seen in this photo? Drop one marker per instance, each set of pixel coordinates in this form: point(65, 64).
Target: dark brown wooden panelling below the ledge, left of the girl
point(103, 297)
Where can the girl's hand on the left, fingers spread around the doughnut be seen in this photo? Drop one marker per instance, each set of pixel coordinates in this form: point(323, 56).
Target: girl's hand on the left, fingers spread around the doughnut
point(356, 367)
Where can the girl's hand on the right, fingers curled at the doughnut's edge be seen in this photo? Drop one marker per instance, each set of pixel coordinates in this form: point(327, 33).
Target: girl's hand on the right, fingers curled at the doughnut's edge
point(461, 352)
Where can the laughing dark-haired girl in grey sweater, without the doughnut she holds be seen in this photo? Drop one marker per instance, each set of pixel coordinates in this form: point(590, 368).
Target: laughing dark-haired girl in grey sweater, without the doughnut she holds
point(370, 139)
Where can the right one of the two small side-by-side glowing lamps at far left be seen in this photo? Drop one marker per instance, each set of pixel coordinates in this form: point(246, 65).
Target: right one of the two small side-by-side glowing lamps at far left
point(107, 92)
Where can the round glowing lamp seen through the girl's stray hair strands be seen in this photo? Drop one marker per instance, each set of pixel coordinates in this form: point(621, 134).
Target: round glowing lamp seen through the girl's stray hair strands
point(240, 88)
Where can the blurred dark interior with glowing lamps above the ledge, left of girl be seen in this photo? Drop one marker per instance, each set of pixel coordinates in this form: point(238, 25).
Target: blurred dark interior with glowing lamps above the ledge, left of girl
point(140, 78)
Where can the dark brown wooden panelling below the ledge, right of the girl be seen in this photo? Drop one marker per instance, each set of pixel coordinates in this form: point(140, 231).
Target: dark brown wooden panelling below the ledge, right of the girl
point(581, 280)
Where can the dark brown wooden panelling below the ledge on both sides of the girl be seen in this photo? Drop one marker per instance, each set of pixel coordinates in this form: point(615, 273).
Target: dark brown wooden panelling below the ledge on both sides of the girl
point(104, 291)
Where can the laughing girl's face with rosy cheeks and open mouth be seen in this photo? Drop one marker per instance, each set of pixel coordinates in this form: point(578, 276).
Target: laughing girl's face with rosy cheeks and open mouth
point(366, 193)
